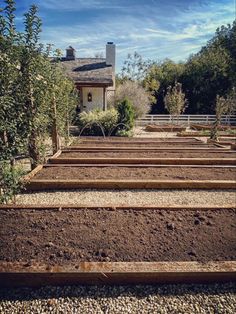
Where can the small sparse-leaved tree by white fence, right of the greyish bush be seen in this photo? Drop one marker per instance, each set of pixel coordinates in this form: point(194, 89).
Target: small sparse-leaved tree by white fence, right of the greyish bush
point(175, 101)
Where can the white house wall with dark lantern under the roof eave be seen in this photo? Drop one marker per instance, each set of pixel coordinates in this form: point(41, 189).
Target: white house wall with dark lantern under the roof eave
point(97, 98)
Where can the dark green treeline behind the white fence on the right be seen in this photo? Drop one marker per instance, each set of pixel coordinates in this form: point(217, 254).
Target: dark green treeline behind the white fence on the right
point(210, 72)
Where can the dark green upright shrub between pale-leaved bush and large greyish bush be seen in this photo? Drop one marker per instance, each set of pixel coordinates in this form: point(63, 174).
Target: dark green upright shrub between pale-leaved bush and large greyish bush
point(126, 114)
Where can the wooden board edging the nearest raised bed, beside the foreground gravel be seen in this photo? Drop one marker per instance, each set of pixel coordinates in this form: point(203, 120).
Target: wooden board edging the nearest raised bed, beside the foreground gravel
point(18, 274)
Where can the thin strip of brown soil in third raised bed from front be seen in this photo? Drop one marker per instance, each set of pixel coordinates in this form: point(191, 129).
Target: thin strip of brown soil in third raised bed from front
point(144, 154)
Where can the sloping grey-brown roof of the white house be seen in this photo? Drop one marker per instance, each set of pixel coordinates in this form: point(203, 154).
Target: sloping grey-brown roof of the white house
point(88, 71)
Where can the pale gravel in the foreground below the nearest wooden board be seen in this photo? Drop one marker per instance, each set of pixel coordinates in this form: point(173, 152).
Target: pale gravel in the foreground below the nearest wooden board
point(214, 298)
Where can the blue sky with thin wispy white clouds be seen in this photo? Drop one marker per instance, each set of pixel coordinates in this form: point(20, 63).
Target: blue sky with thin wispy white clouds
point(156, 29)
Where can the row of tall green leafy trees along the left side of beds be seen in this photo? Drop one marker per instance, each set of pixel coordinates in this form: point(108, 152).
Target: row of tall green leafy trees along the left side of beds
point(36, 99)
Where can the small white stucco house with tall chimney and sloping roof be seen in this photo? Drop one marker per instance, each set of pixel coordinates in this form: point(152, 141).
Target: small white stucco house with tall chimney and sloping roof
point(93, 77)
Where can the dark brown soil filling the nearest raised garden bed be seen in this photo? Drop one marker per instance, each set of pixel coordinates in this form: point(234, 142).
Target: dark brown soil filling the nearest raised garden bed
point(71, 236)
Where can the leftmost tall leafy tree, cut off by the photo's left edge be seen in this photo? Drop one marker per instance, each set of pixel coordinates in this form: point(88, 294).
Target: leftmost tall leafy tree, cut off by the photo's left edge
point(11, 109)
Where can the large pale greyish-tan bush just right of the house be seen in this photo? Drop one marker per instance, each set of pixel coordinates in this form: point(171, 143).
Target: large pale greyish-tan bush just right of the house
point(136, 94)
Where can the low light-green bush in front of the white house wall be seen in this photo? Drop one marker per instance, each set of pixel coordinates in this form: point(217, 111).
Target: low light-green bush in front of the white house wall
point(96, 122)
